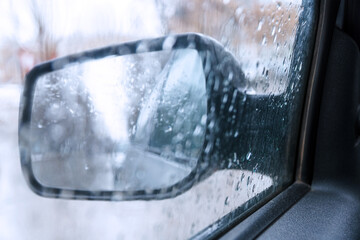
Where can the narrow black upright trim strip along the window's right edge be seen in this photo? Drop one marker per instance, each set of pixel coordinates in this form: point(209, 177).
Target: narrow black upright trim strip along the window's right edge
point(327, 20)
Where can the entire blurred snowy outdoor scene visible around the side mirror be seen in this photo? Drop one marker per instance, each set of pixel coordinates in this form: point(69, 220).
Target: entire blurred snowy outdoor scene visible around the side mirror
point(259, 33)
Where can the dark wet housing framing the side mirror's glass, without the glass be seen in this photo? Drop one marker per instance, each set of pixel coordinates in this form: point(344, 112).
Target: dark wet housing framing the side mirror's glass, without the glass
point(224, 81)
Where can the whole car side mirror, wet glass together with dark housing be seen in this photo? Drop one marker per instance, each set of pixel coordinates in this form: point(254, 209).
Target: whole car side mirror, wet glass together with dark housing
point(139, 120)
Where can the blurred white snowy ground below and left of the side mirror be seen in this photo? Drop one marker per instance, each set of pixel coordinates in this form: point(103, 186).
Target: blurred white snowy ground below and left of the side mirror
point(24, 215)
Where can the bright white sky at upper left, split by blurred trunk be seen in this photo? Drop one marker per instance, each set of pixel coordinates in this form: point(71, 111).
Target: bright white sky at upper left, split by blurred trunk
point(67, 17)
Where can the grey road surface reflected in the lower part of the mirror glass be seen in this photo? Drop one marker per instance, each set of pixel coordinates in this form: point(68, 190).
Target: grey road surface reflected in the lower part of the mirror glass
point(137, 169)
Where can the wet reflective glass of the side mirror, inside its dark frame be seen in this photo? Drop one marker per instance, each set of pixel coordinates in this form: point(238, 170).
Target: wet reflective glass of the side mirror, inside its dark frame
point(131, 122)
